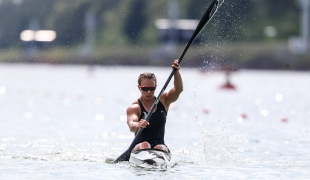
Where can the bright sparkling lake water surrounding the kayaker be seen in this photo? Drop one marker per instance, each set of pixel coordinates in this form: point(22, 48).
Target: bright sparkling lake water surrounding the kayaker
point(66, 122)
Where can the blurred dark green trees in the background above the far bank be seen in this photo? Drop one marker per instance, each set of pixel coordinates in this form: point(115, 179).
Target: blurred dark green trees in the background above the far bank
point(132, 21)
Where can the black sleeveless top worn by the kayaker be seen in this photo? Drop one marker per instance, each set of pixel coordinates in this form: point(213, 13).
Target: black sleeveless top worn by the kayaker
point(155, 132)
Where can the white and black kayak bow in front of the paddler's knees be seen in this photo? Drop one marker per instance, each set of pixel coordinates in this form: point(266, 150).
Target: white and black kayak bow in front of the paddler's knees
point(150, 158)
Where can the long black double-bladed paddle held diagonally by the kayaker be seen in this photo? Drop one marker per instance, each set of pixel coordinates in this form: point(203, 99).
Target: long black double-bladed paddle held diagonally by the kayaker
point(204, 20)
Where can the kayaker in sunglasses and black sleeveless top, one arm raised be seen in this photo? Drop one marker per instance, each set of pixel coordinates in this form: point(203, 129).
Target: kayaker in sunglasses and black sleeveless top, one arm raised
point(153, 133)
